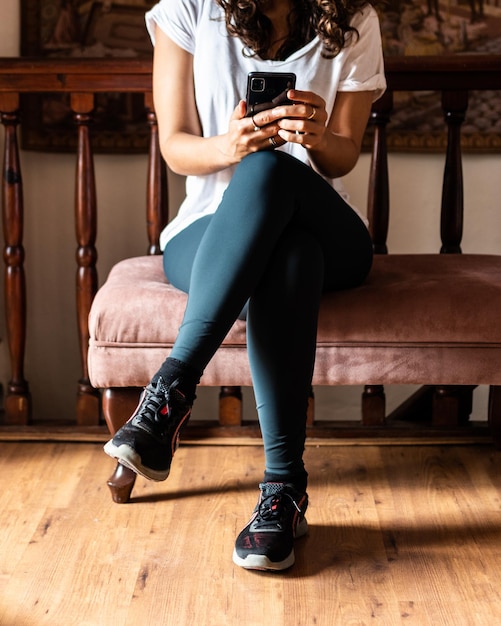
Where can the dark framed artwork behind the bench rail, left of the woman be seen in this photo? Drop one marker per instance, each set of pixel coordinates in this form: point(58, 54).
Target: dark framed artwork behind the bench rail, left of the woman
point(85, 28)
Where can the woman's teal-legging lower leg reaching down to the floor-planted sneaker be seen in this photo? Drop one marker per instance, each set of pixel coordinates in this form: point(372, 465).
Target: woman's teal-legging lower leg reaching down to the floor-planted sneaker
point(281, 340)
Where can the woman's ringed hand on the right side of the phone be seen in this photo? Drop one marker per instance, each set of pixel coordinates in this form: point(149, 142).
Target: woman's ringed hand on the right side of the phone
point(305, 121)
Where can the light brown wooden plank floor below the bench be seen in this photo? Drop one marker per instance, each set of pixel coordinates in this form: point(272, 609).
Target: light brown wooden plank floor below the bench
point(398, 535)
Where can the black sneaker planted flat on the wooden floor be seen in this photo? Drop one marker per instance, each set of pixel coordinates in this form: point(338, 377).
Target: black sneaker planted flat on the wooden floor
point(266, 543)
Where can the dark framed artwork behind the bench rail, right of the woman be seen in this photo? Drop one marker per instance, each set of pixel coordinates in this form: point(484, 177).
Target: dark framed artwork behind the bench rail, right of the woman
point(442, 27)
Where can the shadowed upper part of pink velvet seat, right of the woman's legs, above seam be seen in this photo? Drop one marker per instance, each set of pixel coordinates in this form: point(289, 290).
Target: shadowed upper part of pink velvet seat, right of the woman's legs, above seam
point(427, 299)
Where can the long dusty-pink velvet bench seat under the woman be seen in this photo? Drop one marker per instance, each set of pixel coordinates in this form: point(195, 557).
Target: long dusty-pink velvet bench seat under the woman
point(418, 318)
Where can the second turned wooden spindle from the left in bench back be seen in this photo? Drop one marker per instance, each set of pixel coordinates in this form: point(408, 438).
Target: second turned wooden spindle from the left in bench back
point(86, 254)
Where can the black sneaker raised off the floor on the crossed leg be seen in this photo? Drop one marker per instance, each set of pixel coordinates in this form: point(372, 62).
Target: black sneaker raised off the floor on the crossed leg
point(147, 442)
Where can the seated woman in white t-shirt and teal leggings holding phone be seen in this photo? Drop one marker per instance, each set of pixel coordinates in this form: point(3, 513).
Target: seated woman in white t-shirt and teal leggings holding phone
point(264, 222)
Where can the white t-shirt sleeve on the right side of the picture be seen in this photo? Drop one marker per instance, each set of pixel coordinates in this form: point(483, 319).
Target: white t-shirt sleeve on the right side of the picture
point(363, 65)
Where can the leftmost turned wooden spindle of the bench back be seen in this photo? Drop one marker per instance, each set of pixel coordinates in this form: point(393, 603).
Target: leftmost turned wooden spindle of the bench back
point(18, 399)
